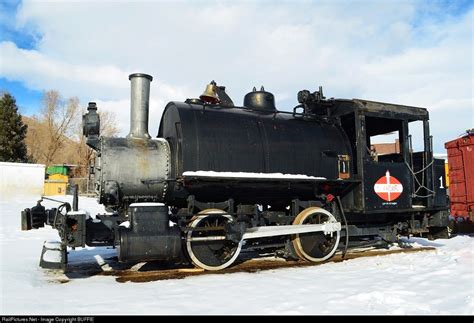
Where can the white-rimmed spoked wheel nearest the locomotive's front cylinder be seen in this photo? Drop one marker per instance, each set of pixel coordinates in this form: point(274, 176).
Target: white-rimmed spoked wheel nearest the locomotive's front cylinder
point(207, 247)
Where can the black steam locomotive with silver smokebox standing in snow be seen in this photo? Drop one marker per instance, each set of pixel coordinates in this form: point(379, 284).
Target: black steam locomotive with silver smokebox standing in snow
point(220, 179)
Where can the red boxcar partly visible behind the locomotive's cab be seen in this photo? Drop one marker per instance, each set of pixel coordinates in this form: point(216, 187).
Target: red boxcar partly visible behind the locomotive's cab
point(461, 175)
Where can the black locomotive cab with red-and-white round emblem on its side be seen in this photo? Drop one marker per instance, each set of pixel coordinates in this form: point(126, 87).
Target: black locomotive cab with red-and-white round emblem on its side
point(400, 181)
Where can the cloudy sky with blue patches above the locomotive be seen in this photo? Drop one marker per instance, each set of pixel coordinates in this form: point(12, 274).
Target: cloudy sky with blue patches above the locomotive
point(410, 52)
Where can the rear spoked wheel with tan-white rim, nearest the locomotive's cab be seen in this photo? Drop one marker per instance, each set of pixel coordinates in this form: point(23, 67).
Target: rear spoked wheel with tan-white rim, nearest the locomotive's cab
point(315, 246)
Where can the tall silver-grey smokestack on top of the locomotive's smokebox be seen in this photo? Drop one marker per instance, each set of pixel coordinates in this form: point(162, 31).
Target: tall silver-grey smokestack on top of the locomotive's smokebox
point(140, 105)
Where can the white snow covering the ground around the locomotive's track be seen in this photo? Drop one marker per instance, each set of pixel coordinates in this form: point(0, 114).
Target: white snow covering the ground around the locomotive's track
point(432, 282)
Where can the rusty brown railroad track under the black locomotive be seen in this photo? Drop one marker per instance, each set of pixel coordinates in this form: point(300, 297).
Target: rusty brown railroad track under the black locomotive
point(146, 272)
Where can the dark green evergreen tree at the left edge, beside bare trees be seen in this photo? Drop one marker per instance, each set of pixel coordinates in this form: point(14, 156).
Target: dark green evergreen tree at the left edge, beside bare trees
point(12, 131)
